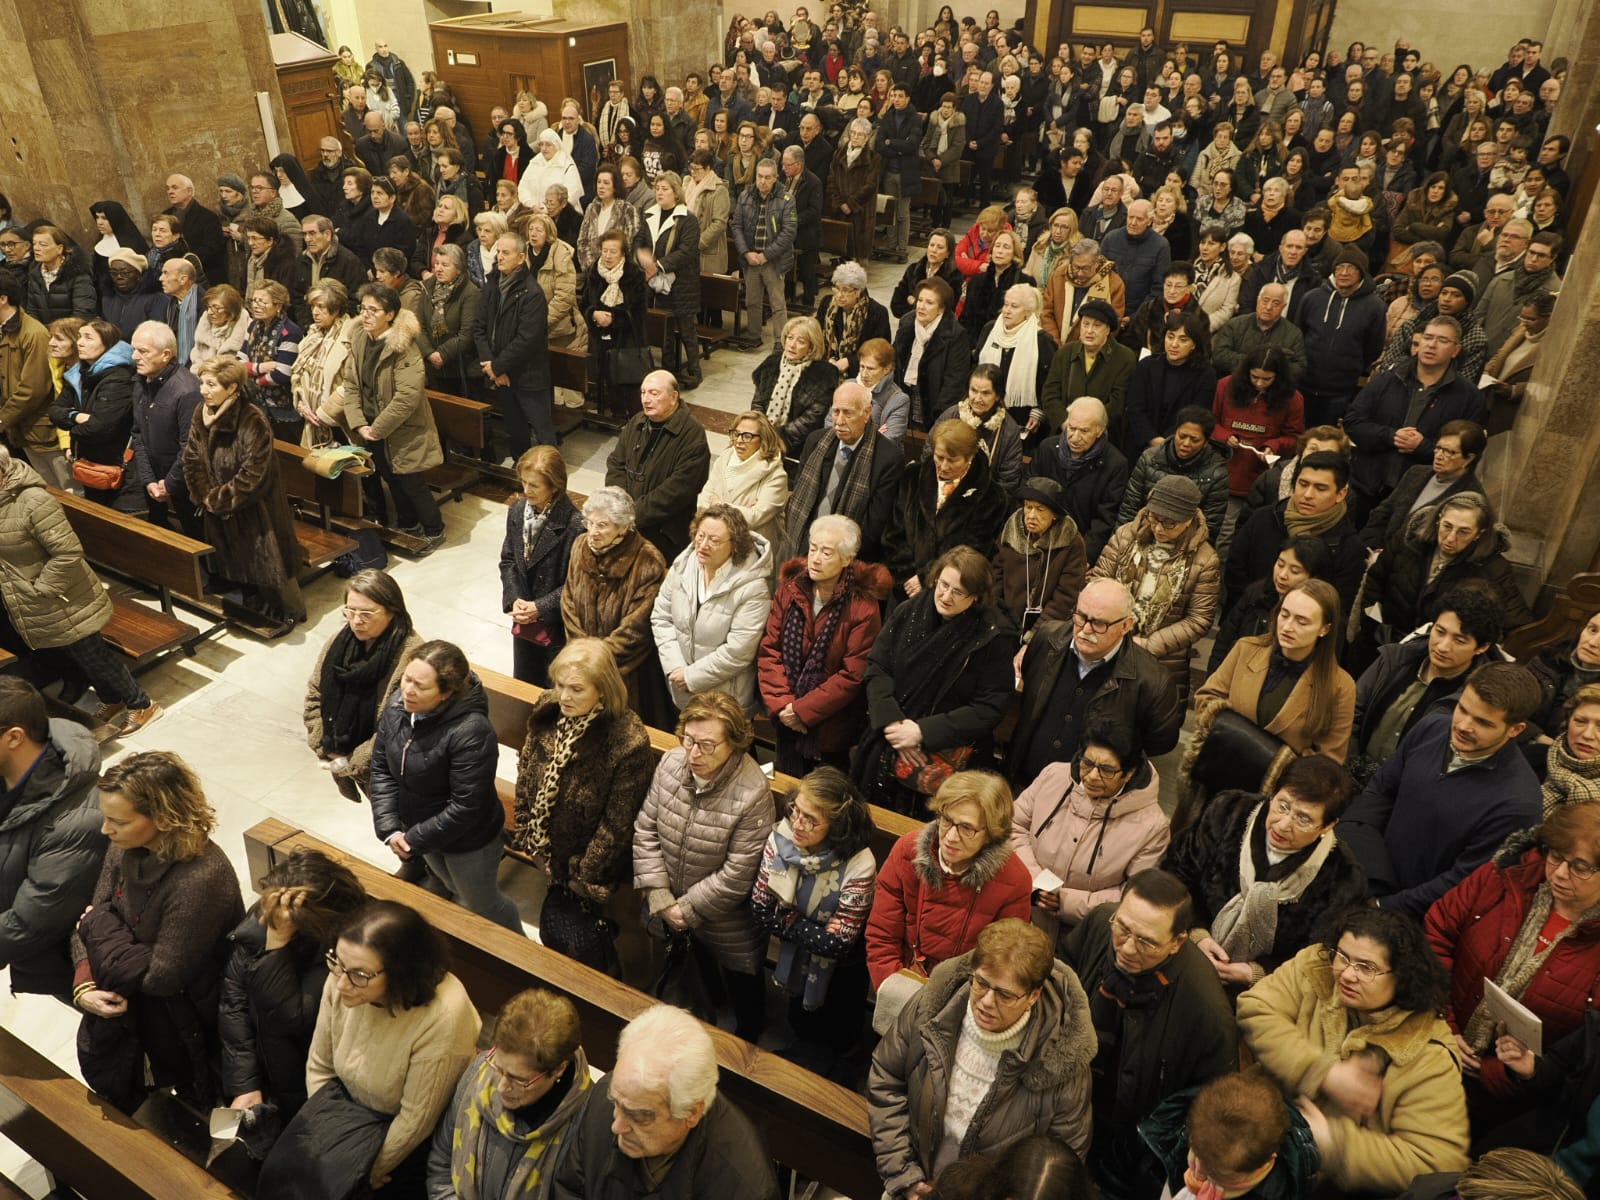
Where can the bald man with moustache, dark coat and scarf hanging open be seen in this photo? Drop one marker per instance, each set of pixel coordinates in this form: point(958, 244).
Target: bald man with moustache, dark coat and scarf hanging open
point(847, 470)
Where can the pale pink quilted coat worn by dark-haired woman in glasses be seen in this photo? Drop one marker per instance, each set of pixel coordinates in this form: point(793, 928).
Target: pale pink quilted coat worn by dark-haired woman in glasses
point(1094, 846)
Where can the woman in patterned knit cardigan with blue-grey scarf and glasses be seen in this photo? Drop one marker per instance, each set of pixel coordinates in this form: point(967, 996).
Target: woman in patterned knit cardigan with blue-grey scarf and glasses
point(815, 892)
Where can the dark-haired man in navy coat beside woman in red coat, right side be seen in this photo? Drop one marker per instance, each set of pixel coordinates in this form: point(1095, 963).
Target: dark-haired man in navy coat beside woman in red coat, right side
point(1454, 790)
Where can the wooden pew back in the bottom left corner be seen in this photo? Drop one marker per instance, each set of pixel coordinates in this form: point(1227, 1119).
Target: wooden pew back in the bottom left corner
point(87, 1143)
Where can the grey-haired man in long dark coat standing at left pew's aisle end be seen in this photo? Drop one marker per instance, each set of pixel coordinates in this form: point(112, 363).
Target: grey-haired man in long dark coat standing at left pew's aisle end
point(513, 346)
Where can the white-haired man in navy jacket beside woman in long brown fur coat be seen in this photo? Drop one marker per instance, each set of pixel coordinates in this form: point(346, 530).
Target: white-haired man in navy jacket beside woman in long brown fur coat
point(166, 398)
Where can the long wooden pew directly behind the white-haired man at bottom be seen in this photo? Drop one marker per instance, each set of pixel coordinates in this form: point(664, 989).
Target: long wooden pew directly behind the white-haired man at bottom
point(807, 1122)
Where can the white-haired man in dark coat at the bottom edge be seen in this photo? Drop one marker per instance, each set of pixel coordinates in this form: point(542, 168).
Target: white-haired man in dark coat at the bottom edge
point(658, 1127)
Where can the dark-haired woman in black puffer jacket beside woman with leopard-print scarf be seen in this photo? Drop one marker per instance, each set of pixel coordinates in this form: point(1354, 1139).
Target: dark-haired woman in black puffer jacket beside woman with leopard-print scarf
point(433, 780)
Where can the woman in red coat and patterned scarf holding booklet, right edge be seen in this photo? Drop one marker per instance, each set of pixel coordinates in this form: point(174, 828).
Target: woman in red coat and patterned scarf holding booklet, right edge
point(1530, 921)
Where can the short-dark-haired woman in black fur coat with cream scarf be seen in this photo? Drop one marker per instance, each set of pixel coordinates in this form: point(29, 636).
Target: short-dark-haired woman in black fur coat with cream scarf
point(1266, 873)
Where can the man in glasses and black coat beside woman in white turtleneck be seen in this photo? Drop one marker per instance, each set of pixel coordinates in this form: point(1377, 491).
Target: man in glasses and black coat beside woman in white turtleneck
point(1162, 1018)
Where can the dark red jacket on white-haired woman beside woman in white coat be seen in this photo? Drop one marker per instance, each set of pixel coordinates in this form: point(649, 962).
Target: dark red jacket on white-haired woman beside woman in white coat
point(838, 708)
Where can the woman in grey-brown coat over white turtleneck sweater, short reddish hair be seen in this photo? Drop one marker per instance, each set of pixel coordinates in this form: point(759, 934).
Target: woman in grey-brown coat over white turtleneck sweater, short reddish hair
point(994, 1049)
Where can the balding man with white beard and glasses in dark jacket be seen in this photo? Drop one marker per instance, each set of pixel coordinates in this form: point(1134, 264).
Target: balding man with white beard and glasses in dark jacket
point(1084, 670)
